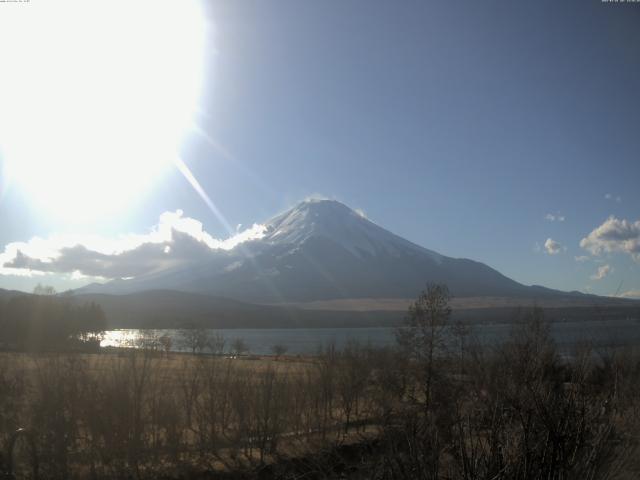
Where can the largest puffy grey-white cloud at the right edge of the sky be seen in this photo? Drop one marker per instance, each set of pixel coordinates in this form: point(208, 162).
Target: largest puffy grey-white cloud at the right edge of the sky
point(614, 235)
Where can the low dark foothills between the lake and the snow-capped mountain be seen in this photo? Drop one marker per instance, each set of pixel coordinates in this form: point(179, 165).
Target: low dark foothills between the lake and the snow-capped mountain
point(157, 309)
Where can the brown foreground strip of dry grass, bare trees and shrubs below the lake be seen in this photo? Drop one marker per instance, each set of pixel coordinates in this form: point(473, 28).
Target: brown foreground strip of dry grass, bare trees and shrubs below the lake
point(438, 406)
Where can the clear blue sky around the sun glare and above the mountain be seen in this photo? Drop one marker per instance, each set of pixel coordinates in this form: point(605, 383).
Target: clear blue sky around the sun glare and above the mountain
point(458, 125)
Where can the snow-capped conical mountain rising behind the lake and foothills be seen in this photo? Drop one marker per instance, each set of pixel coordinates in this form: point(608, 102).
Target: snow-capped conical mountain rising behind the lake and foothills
point(321, 250)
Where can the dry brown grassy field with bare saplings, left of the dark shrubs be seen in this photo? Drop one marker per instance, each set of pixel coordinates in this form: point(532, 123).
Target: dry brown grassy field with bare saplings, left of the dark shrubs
point(112, 413)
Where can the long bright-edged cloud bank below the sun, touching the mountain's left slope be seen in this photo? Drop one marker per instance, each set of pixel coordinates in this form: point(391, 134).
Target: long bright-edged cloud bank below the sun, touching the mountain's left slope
point(175, 241)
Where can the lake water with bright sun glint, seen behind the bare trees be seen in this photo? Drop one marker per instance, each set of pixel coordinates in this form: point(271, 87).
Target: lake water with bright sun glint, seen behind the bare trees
point(304, 341)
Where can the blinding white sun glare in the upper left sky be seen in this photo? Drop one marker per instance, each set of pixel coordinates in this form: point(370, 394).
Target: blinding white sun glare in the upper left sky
point(95, 97)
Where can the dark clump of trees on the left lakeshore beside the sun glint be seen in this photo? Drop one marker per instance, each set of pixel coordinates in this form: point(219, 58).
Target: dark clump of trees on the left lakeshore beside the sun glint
point(44, 320)
